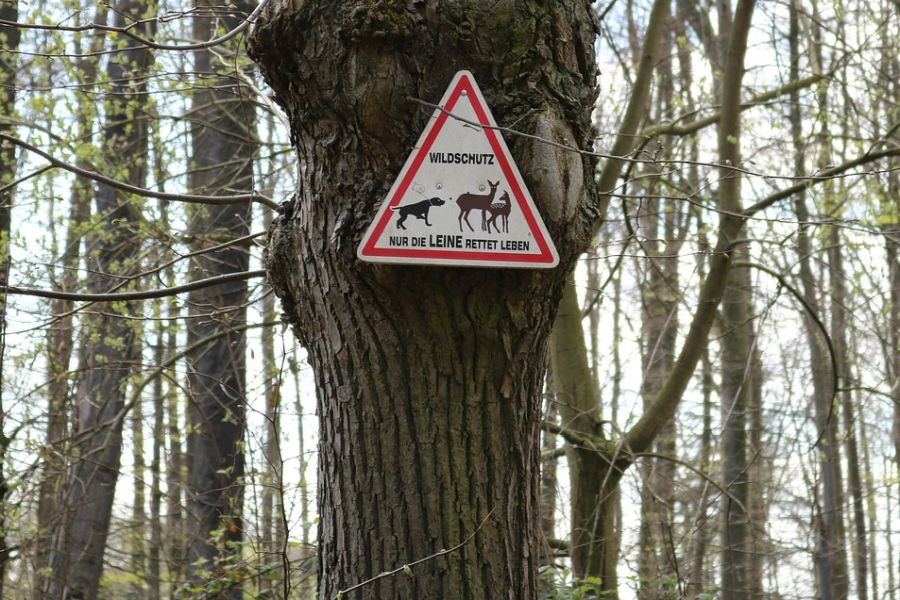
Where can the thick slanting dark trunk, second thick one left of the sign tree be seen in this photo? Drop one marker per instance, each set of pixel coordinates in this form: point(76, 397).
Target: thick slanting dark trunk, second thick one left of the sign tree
point(109, 351)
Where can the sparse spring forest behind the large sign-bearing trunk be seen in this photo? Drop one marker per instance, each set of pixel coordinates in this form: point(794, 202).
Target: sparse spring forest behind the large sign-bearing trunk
point(159, 421)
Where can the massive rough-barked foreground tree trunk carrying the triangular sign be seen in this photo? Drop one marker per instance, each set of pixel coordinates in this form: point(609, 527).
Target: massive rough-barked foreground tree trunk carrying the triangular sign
point(429, 379)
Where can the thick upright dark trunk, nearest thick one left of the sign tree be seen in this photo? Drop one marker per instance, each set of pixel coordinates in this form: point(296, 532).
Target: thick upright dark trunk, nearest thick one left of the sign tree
point(223, 146)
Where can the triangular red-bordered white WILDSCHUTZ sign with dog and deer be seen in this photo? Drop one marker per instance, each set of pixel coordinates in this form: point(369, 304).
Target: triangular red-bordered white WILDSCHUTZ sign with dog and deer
point(459, 199)
